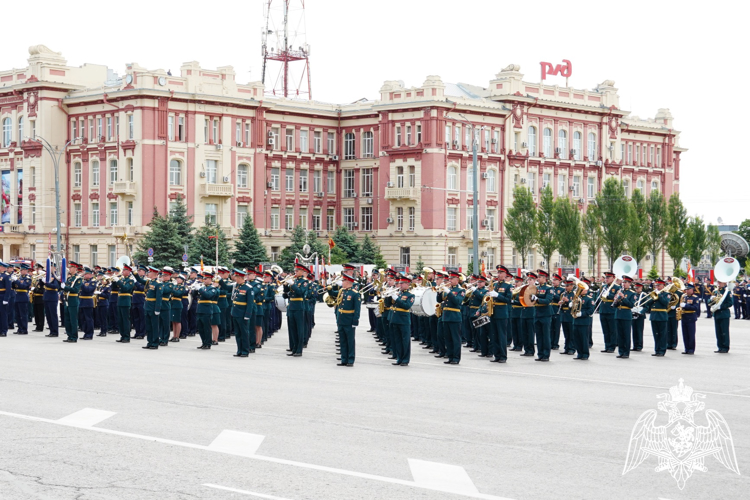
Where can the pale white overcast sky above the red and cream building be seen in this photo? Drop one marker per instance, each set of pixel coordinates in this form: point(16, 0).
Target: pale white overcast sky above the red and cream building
point(661, 54)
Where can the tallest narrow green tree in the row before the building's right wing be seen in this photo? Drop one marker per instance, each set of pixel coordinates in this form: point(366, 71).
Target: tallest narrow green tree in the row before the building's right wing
point(613, 209)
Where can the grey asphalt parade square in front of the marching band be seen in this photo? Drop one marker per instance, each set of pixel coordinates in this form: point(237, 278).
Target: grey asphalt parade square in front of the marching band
point(101, 420)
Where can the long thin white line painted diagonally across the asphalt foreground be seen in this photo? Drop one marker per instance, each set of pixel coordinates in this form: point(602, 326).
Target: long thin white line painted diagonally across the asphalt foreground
point(280, 461)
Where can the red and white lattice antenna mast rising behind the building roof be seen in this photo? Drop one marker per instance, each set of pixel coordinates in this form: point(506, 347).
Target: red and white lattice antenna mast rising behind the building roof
point(284, 41)
